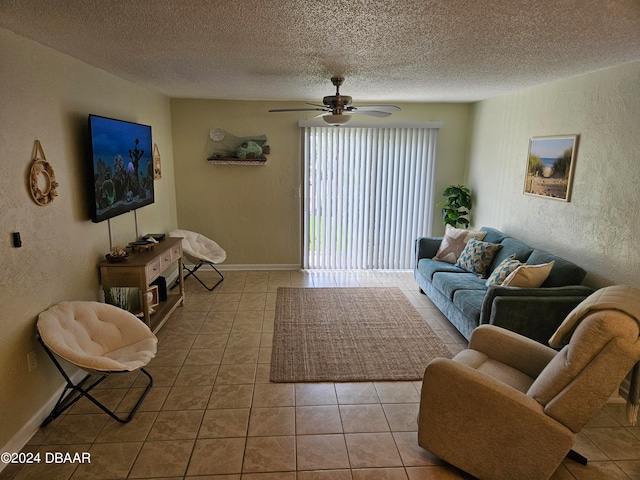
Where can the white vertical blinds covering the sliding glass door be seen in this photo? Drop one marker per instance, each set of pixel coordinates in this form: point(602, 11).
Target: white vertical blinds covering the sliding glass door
point(368, 195)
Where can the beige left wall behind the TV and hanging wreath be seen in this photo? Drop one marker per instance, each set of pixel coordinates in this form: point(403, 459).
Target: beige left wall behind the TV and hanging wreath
point(47, 95)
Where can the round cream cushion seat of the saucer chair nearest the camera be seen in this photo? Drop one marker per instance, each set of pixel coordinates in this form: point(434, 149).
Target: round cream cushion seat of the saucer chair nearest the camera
point(97, 336)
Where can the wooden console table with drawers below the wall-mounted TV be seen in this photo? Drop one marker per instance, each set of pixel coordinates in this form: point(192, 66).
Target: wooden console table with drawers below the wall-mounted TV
point(142, 268)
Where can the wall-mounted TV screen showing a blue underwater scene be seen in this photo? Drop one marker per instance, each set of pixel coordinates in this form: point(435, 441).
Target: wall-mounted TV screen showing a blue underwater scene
point(121, 167)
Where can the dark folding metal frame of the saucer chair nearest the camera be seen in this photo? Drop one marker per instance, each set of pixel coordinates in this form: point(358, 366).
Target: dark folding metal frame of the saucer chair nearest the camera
point(72, 392)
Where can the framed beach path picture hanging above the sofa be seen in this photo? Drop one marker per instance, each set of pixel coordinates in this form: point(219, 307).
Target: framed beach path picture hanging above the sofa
point(550, 166)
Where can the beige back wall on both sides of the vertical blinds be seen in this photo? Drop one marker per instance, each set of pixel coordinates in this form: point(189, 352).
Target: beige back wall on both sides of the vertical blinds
point(251, 211)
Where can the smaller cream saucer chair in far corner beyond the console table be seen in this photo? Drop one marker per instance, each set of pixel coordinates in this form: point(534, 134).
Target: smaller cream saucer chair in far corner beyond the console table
point(203, 251)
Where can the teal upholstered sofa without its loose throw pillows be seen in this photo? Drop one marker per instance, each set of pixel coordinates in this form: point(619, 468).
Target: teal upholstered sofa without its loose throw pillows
point(468, 302)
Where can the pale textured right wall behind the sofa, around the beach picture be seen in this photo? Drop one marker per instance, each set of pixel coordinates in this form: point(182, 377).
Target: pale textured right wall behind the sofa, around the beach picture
point(599, 227)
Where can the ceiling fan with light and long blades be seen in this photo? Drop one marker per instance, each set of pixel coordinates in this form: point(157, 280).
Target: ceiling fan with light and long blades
point(337, 109)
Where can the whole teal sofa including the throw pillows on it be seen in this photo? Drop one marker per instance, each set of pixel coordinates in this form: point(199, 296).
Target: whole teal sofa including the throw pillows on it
point(548, 287)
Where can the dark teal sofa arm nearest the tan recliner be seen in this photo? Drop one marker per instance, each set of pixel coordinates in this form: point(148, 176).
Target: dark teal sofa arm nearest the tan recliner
point(533, 312)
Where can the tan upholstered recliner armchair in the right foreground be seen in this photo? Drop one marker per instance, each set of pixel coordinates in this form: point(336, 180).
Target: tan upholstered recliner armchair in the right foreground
point(509, 407)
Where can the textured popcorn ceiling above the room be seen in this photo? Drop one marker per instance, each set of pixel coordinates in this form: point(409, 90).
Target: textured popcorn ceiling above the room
point(402, 50)
